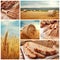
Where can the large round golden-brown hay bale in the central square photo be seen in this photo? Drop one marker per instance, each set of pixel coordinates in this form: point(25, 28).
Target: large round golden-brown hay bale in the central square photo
point(29, 30)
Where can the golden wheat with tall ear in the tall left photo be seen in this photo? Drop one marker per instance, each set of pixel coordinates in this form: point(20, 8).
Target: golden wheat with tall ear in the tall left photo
point(9, 47)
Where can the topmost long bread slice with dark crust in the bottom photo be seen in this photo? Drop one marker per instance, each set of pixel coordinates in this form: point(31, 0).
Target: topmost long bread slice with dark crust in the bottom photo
point(41, 49)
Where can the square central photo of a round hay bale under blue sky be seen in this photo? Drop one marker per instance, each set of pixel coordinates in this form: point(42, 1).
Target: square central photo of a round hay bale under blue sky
point(30, 29)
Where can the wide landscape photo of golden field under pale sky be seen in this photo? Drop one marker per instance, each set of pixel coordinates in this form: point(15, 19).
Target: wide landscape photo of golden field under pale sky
point(40, 9)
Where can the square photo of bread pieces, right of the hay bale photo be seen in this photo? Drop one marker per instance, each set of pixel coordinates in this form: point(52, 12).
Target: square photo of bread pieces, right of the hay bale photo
point(49, 29)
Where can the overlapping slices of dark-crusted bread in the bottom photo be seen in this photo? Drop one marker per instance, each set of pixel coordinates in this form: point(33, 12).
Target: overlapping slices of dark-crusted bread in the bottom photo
point(39, 50)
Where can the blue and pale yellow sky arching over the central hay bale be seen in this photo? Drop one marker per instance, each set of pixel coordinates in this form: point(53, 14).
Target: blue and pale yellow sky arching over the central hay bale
point(36, 23)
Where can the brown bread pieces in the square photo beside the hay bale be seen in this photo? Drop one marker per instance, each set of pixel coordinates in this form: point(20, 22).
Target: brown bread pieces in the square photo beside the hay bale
point(51, 29)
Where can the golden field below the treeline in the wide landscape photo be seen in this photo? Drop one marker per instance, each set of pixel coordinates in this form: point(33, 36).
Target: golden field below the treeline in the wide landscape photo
point(38, 15)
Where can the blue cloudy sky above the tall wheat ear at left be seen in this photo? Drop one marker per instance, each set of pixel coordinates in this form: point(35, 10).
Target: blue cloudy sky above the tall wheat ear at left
point(11, 26)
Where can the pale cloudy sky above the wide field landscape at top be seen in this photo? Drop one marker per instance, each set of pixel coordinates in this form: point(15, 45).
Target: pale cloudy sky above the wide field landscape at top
point(39, 3)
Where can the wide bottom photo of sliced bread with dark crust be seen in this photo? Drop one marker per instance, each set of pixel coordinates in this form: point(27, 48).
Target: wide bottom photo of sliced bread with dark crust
point(42, 49)
